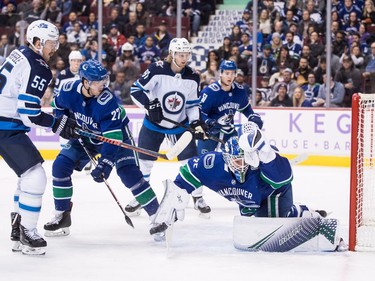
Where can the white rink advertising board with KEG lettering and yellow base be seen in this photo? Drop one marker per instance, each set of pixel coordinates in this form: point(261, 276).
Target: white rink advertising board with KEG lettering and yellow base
point(323, 134)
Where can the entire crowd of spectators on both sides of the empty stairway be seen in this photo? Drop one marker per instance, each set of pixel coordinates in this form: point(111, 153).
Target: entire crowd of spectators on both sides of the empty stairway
point(291, 44)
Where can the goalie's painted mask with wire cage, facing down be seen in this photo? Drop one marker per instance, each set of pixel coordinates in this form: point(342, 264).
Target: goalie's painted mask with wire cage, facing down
point(234, 157)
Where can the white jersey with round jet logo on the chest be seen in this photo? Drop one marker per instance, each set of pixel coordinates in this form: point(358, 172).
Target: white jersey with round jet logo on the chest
point(177, 93)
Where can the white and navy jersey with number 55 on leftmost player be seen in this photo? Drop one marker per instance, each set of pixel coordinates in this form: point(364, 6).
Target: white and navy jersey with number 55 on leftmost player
point(24, 77)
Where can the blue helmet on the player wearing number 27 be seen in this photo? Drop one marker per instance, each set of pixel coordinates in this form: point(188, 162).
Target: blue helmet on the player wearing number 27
point(93, 71)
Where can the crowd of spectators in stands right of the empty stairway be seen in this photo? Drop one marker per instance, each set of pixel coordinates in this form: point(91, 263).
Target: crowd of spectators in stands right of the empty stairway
point(292, 56)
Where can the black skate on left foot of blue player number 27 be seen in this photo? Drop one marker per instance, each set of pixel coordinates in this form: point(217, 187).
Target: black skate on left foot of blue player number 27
point(59, 225)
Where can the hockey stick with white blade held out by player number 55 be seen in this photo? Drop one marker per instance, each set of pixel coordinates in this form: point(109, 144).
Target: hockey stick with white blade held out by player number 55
point(172, 153)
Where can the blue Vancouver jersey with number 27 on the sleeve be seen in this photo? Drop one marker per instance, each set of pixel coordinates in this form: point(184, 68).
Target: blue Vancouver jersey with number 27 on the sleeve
point(101, 115)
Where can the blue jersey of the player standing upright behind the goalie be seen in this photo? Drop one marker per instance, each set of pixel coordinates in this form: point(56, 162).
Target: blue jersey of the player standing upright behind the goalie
point(222, 105)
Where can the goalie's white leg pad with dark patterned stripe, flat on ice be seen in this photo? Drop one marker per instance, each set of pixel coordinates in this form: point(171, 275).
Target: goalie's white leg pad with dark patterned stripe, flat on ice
point(313, 234)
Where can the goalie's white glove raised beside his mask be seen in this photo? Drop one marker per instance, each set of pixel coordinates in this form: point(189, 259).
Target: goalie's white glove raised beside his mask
point(255, 145)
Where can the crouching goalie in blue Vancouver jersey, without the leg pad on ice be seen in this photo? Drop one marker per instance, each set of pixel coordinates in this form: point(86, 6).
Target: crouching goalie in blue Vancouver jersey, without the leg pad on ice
point(249, 172)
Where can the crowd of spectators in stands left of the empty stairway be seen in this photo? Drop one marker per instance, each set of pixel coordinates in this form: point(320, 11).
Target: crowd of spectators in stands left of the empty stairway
point(131, 38)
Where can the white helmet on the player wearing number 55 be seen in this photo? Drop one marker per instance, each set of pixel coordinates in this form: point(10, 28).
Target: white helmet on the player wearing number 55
point(43, 30)
